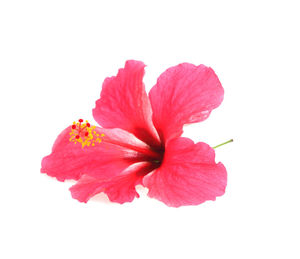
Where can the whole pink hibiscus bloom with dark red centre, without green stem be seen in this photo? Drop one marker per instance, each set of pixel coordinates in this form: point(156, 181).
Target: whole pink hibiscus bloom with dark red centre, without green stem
point(140, 140)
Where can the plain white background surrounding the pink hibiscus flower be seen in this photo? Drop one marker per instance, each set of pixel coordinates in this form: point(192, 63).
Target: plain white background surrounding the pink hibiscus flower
point(54, 56)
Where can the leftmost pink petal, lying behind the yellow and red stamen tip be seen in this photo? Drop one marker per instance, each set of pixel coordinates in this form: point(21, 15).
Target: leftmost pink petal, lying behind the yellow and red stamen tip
point(117, 151)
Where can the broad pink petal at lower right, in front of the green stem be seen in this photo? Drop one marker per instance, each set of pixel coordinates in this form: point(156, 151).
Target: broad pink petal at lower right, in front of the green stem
point(188, 175)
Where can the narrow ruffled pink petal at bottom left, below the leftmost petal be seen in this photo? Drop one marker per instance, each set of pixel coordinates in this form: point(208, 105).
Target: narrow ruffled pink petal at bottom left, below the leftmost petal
point(119, 189)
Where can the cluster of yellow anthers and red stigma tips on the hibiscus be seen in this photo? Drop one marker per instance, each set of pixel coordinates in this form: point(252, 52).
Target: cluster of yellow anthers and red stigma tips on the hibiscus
point(84, 133)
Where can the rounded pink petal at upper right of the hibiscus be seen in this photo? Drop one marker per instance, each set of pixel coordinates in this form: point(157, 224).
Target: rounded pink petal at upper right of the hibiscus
point(184, 94)
